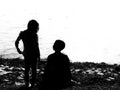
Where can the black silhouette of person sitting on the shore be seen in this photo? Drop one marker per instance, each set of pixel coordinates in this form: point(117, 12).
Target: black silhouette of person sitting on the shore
point(57, 73)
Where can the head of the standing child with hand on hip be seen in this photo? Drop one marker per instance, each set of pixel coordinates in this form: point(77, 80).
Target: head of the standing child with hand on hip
point(33, 26)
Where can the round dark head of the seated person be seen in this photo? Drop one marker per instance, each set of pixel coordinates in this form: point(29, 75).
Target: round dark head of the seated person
point(58, 45)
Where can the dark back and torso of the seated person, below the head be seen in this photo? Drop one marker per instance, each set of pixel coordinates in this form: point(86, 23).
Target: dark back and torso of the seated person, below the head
point(57, 73)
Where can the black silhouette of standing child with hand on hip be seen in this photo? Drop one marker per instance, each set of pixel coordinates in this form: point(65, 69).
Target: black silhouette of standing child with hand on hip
point(31, 50)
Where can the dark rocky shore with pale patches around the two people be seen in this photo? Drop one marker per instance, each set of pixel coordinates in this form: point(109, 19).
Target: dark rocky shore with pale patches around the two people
point(83, 74)
